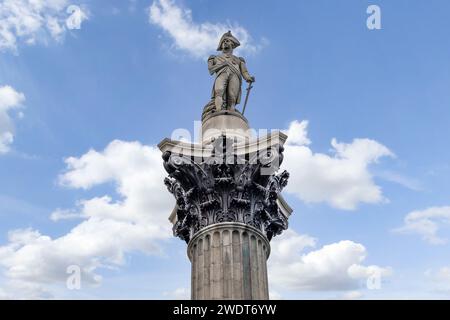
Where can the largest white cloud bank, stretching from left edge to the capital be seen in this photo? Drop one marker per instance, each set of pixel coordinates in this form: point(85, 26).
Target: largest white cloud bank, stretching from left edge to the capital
point(110, 228)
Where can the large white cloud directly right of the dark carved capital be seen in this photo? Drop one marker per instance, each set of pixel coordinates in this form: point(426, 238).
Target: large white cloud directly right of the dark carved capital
point(342, 180)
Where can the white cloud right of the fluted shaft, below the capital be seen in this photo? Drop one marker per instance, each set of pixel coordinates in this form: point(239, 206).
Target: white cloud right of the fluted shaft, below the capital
point(337, 266)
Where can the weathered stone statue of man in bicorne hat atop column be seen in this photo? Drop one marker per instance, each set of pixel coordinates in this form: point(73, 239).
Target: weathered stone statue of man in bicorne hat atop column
point(229, 70)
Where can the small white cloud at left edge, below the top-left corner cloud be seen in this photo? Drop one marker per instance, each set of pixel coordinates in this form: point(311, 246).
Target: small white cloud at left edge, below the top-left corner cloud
point(10, 99)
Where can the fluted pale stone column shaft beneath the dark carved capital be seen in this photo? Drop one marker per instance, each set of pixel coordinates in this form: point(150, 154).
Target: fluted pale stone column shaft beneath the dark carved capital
point(229, 261)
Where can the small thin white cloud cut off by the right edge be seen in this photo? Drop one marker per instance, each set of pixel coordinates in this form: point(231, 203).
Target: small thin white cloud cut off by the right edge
point(426, 223)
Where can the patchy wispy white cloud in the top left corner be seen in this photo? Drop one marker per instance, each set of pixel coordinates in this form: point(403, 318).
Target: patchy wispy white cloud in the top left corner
point(32, 21)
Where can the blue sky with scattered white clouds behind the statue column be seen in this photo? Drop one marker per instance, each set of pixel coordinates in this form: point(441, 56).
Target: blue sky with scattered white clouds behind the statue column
point(87, 93)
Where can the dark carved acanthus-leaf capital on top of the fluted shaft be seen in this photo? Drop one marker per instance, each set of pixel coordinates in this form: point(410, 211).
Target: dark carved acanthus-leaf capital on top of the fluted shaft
point(217, 190)
